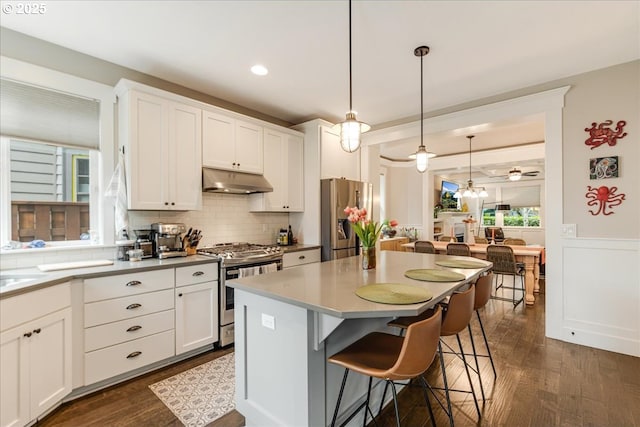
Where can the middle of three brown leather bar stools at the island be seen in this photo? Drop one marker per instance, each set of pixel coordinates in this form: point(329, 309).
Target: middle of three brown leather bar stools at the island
point(456, 318)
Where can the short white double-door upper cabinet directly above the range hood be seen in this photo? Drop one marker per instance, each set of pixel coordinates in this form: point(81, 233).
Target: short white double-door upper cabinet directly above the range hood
point(231, 144)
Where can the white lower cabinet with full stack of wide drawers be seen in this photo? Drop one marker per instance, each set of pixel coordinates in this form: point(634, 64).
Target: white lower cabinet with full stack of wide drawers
point(128, 322)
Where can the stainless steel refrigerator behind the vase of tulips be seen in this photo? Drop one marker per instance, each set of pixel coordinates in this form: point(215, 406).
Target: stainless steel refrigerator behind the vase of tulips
point(338, 238)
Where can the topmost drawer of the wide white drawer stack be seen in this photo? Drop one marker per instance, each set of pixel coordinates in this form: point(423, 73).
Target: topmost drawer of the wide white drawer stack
point(121, 285)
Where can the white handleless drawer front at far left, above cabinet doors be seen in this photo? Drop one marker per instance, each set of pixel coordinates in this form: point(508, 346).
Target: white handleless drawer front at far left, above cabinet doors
point(32, 305)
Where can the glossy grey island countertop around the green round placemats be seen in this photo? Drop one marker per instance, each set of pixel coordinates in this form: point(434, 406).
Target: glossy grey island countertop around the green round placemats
point(329, 287)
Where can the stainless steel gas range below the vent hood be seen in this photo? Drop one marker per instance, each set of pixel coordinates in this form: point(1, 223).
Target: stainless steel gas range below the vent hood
point(239, 260)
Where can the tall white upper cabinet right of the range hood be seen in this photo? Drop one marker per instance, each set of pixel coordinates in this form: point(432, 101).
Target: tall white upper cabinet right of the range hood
point(284, 169)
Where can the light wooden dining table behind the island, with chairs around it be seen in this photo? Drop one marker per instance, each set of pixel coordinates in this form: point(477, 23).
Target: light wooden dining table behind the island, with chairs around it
point(532, 256)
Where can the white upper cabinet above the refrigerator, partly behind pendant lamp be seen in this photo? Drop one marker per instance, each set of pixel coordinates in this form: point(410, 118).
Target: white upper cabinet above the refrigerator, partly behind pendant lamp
point(334, 161)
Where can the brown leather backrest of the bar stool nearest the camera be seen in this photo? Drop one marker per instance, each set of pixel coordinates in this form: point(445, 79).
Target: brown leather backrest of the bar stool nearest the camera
point(418, 349)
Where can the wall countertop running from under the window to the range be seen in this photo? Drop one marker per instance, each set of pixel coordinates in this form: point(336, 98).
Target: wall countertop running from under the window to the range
point(45, 279)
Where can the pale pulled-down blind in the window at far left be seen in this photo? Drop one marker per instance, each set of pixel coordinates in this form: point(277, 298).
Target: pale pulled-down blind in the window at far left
point(40, 114)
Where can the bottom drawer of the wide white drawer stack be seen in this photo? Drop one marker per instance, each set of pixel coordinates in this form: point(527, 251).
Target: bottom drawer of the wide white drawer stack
point(125, 357)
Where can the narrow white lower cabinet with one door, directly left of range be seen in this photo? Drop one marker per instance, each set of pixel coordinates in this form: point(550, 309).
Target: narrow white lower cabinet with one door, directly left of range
point(196, 302)
